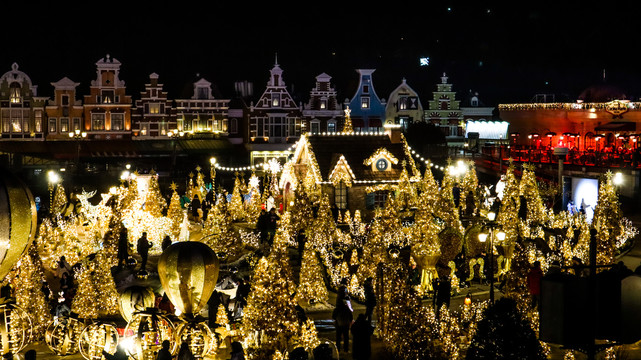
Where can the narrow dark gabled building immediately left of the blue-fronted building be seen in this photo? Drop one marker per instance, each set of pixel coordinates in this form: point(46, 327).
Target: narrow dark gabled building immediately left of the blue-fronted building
point(322, 112)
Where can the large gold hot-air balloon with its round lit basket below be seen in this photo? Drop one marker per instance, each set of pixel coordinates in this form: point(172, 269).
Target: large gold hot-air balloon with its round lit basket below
point(188, 272)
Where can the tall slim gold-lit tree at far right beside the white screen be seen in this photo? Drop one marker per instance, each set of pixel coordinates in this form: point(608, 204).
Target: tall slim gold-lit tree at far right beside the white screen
point(607, 220)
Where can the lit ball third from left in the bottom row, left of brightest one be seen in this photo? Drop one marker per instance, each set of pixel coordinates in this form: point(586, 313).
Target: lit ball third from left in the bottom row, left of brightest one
point(97, 337)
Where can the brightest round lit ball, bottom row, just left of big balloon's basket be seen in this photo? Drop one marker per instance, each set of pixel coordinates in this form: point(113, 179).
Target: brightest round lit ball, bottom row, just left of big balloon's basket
point(145, 333)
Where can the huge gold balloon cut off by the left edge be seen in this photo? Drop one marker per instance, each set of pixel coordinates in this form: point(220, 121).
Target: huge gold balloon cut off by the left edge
point(18, 220)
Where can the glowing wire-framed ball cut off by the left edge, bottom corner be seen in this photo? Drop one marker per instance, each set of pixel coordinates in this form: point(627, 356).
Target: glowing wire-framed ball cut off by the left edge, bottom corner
point(15, 328)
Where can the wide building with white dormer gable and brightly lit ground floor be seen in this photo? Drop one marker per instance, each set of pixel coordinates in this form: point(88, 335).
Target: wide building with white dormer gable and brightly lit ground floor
point(205, 112)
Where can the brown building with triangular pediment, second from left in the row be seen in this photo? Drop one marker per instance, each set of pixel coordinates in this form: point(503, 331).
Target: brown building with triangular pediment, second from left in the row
point(64, 111)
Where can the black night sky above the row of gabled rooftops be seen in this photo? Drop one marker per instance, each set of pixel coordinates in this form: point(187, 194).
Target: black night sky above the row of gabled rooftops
point(506, 53)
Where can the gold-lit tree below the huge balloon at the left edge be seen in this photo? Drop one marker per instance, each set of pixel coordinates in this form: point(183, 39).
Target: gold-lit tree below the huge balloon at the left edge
point(27, 284)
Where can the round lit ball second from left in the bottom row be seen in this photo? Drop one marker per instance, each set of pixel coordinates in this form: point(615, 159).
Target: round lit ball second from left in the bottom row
point(62, 335)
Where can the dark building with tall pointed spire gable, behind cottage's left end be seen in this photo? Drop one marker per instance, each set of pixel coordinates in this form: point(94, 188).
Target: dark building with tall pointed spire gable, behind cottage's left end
point(275, 121)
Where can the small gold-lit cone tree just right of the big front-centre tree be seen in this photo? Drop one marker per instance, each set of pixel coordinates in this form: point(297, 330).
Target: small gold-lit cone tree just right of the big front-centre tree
point(311, 285)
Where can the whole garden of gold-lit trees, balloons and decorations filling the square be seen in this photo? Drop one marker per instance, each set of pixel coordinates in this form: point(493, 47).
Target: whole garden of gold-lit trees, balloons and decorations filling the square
point(427, 227)
